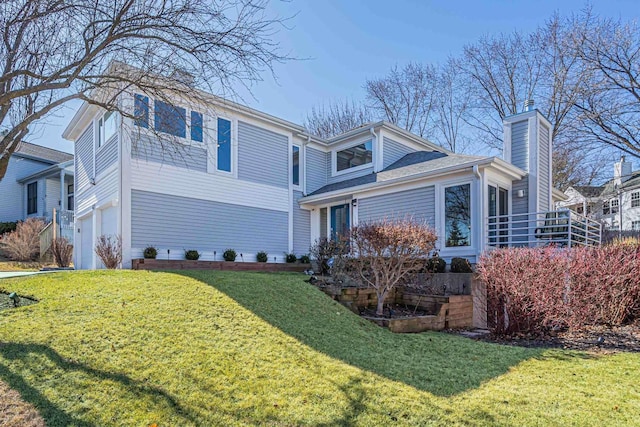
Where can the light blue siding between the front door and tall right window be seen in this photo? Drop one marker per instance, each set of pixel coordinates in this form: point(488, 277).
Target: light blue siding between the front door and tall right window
point(419, 203)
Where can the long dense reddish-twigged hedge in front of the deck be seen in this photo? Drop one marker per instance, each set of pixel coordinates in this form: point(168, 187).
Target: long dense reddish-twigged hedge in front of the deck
point(534, 289)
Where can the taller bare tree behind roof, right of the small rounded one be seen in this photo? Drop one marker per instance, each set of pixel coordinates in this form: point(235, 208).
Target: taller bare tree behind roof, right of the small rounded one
point(405, 97)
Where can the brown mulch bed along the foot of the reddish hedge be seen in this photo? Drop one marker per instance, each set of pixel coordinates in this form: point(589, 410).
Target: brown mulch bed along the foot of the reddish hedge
point(597, 339)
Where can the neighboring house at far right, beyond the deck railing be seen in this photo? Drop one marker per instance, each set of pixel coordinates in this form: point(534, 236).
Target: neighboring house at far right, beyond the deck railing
point(616, 204)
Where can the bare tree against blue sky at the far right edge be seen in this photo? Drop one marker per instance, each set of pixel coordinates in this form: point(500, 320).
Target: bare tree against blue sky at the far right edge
point(610, 111)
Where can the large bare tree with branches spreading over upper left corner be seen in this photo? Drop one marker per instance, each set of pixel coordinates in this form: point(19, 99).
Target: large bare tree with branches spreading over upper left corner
point(54, 51)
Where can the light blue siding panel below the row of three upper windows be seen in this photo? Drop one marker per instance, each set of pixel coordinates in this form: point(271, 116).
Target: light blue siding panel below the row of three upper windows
point(170, 152)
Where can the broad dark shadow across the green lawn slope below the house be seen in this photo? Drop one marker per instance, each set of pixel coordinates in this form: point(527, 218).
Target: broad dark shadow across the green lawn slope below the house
point(439, 363)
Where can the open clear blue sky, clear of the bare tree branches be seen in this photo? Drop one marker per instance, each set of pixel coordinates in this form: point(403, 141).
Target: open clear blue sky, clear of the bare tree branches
point(349, 41)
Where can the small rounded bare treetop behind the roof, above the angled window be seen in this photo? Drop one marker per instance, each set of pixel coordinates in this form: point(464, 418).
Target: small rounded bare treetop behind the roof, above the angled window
point(336, 118)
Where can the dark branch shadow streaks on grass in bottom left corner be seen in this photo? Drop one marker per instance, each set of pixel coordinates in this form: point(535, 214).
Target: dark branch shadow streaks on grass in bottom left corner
point(55, 416)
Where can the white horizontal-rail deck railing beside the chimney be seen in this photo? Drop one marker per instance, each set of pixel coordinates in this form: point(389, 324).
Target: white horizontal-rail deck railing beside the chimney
point(563, 228)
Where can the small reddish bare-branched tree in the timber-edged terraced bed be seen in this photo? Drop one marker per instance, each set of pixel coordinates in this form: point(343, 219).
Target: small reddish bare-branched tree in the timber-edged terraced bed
point(387, 252)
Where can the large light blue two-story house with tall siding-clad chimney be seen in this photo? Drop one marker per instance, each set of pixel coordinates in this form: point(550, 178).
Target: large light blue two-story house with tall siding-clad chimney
point(235, 177)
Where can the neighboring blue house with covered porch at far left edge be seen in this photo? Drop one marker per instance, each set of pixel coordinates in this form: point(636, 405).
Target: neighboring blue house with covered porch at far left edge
point(37, 181)
